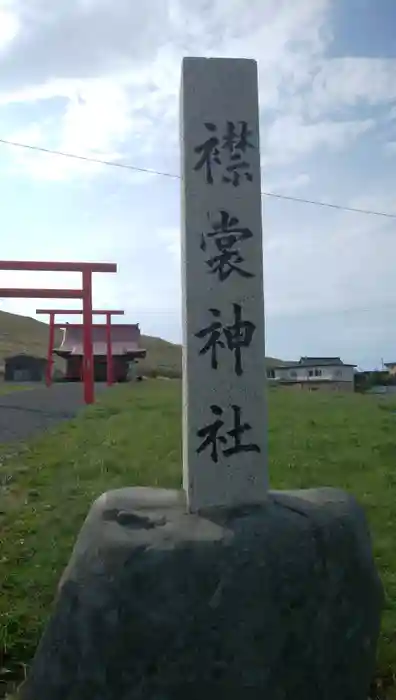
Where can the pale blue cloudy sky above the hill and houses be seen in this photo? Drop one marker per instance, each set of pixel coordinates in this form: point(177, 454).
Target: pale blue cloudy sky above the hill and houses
point(101, 79)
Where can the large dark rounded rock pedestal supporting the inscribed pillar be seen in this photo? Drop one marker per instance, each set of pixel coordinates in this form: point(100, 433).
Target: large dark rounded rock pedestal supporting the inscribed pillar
point(276, 601)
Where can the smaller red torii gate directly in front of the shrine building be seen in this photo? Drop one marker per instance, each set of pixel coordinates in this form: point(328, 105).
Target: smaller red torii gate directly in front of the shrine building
point(77, 312)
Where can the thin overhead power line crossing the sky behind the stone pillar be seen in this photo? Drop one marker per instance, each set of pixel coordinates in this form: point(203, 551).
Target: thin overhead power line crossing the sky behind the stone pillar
point(127, 166)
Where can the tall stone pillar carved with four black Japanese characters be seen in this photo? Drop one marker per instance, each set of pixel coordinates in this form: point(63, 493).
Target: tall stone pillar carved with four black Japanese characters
point(224, 406)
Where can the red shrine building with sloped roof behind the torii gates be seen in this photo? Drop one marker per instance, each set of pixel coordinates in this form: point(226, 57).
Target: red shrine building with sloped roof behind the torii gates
point(126, 350)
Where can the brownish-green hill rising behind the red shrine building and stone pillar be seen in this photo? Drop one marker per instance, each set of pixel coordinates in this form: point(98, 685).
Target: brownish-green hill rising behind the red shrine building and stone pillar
point(22, 334)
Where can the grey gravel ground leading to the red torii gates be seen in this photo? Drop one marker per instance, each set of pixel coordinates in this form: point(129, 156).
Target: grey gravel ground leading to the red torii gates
point(24, 414)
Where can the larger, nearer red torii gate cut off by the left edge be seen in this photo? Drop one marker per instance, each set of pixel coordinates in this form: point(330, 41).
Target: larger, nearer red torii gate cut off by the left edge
point(85, 294)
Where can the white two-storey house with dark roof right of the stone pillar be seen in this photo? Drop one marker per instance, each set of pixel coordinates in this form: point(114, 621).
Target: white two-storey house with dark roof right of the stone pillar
point(313, 373)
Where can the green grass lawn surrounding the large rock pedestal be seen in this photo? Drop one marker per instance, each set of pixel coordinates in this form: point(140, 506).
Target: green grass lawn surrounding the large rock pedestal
point(133, 437)
